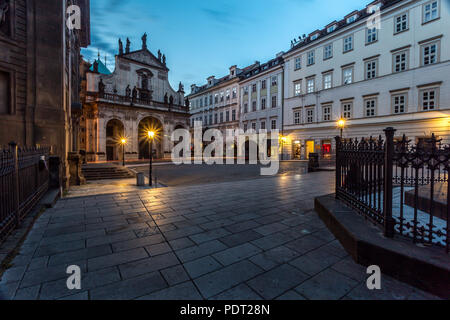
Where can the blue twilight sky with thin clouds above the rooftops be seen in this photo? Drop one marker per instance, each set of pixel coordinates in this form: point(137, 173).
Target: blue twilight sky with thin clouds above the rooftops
point(201, 38)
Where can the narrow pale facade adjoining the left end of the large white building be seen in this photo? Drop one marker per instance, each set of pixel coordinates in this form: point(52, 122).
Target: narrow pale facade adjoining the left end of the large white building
point(261, 94)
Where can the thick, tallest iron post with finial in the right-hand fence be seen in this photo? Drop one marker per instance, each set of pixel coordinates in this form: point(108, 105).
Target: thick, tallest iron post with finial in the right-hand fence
point(389, 222)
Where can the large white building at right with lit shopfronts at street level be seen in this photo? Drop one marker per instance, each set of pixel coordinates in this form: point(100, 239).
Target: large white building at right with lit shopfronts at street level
point(387, 65)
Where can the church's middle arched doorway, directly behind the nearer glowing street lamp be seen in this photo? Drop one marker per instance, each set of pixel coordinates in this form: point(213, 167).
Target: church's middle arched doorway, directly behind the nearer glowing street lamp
point(146, 125)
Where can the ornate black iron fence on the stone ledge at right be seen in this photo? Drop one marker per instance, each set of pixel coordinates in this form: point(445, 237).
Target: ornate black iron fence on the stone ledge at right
point(401, 186)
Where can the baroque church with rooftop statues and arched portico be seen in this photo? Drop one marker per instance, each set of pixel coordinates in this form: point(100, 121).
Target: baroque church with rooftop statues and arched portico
point(125, 104)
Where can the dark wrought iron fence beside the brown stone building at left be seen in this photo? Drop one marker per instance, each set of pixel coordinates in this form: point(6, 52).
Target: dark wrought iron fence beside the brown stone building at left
point(24, 178)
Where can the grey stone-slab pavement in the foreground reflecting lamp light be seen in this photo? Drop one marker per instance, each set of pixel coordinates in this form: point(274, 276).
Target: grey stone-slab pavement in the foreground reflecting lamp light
point(249, 239)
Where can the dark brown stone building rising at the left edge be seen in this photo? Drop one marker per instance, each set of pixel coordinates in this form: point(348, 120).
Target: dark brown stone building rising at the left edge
point(39, 73)
